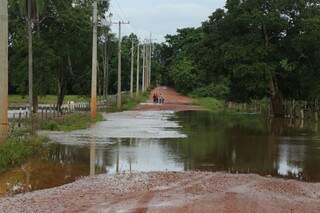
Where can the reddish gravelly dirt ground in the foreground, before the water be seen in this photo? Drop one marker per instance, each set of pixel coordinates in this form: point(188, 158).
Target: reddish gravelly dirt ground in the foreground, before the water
point(172, 192)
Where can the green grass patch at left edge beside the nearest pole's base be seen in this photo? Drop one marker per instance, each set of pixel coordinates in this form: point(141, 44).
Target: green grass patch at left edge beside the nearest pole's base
point(16, 150)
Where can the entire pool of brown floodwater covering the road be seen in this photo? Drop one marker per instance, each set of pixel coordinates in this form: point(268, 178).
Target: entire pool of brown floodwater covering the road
point(168, 141)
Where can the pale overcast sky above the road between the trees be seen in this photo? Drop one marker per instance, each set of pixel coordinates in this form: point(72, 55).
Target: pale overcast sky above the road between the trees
point(161, 17)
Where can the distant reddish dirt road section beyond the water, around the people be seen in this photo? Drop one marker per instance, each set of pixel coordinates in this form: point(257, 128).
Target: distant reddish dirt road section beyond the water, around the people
point(173, 101)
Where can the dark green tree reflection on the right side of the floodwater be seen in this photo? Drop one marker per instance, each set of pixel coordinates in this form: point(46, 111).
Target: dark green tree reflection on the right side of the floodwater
point(221, 144)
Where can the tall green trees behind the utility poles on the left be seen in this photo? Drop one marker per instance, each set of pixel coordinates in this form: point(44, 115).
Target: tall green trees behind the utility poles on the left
point(62, 49)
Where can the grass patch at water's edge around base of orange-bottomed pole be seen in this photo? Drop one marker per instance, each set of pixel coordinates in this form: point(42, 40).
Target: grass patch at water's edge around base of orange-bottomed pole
point(70, 122)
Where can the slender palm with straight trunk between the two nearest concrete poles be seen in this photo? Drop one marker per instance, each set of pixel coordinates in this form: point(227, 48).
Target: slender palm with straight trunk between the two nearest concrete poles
point(31, 9)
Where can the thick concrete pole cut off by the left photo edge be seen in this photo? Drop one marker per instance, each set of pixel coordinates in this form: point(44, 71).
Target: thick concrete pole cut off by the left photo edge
point(4, 126)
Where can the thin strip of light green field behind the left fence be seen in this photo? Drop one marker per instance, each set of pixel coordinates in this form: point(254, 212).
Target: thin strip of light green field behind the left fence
point(48, 99)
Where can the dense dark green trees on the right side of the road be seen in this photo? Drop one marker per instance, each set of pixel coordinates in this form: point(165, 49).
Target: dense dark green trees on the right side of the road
point(251, 49)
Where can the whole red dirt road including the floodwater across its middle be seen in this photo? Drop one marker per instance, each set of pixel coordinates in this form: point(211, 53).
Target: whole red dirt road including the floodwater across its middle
point(147, 160)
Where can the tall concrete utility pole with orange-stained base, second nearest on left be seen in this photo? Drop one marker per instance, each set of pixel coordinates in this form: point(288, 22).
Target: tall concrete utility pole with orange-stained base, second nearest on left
point(94, 64)
